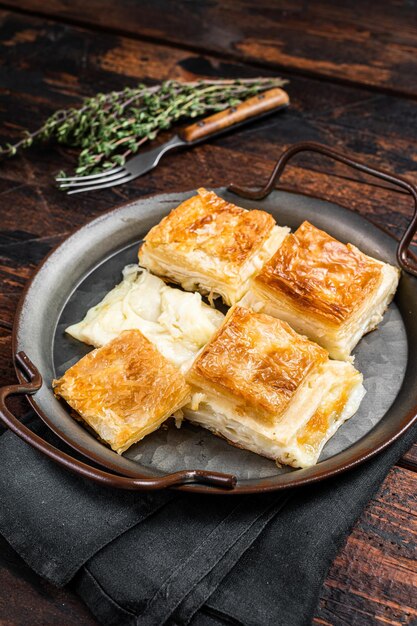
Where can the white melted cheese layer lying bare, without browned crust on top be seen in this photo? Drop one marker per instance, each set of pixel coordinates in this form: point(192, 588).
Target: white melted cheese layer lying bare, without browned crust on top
point(179, 324)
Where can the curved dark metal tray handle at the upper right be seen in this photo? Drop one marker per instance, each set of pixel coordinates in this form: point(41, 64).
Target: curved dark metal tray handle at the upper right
point(403, 256)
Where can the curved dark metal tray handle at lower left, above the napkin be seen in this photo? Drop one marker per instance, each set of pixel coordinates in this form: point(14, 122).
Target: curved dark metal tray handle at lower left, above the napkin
point(34, 383)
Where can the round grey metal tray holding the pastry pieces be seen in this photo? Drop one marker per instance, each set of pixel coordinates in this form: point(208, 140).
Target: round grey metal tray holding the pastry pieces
point(77, 275)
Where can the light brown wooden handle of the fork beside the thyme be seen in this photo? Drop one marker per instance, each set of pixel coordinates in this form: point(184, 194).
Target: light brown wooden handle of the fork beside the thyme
point(262, 103)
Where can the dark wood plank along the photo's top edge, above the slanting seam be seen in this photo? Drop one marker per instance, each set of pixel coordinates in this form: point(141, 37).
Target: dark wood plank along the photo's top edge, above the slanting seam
point(363, 43)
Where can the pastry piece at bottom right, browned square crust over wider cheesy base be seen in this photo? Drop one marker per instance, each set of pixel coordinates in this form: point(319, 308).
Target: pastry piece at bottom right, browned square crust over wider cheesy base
point(267, 389)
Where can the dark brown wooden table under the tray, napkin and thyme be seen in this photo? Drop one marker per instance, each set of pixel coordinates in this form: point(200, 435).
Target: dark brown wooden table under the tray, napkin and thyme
point(353, 85)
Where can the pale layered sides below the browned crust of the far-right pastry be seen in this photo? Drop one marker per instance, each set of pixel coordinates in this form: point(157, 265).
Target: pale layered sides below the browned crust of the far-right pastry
point(339, 340)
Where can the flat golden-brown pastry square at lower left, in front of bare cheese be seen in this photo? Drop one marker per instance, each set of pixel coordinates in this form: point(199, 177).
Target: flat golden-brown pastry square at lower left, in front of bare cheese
point(124, 390)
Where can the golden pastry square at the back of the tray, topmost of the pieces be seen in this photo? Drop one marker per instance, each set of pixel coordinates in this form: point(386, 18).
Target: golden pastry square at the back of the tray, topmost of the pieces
point(209, 245)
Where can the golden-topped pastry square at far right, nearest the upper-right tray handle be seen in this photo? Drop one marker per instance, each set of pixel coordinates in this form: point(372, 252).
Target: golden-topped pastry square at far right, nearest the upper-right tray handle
point(329, 291)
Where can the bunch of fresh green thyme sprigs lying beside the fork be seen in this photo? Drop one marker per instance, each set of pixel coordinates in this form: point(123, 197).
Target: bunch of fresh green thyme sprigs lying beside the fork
point(111, 127)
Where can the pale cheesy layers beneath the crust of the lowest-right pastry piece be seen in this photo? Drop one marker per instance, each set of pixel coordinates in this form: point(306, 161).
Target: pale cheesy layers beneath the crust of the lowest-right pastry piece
point(327, 398)
